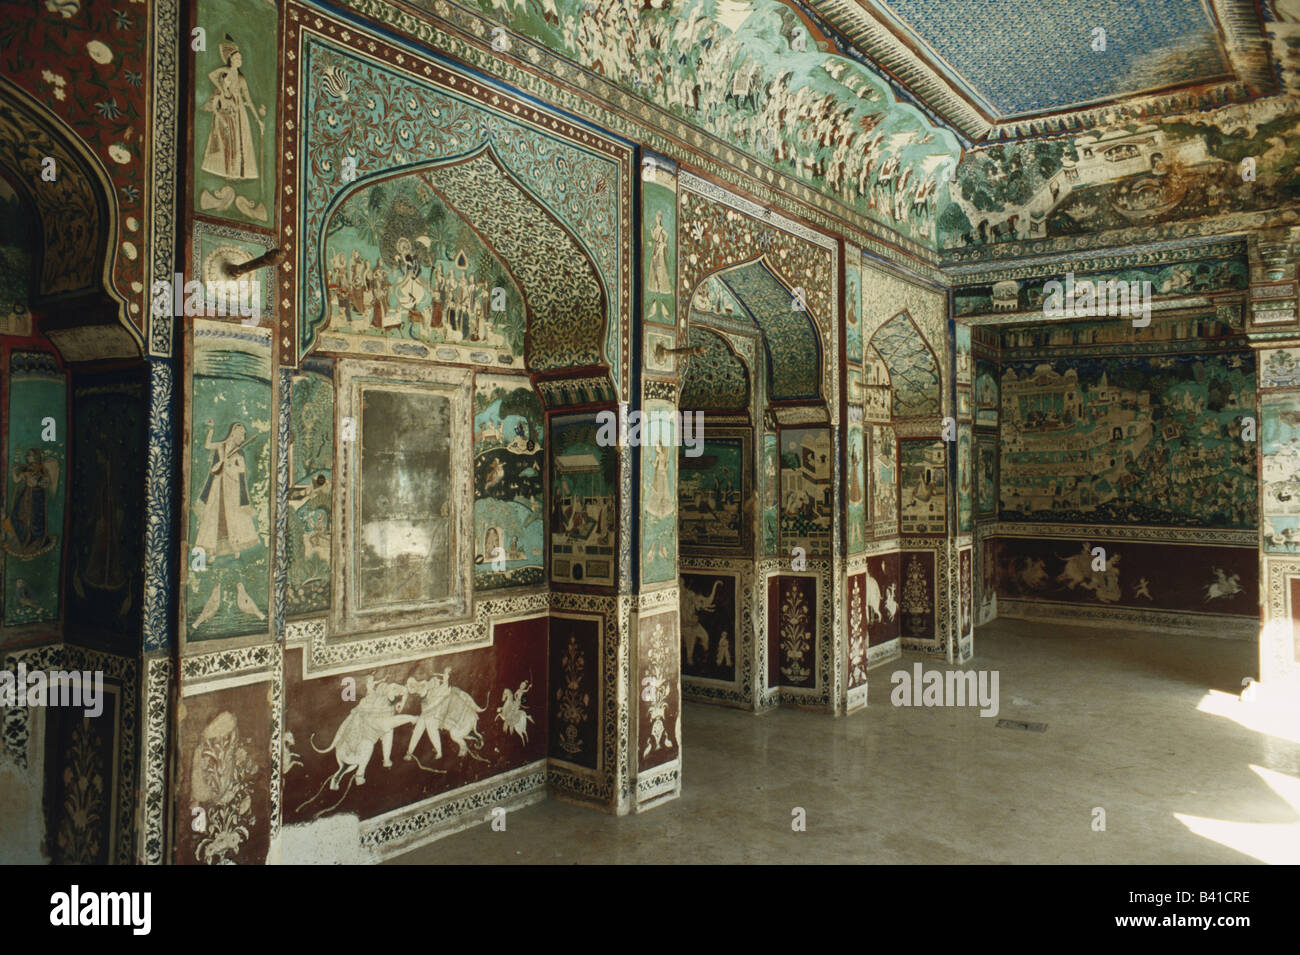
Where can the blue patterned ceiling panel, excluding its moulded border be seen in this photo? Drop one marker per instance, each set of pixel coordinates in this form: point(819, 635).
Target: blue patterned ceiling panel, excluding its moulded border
point(1030, 57)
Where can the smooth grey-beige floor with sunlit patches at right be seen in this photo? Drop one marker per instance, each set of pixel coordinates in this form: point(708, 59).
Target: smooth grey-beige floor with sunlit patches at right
point(1145, 727)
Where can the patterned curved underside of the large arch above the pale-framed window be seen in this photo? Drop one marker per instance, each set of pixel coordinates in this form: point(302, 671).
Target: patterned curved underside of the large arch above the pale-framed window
point(565, 301)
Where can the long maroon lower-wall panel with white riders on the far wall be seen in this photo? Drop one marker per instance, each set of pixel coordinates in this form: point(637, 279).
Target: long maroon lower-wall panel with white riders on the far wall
point(1138, 575)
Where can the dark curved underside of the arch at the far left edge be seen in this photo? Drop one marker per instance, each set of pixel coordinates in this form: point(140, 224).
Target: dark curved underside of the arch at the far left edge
point(76, 215)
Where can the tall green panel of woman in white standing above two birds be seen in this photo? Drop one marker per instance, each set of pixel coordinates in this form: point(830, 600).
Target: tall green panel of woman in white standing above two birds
point(227, 585)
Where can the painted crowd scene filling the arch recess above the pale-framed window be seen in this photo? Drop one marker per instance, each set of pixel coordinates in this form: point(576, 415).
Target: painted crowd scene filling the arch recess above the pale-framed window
point(401, 263)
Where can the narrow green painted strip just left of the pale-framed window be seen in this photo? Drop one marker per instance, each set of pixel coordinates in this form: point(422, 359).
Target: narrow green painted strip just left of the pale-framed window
point(310, 500)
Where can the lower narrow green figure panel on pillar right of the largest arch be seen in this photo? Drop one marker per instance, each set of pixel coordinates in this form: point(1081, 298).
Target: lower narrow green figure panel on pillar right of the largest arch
point(660, 496)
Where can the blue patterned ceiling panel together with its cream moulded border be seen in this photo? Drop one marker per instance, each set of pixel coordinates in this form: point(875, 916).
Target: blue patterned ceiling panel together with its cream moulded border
point(1004, 70)
